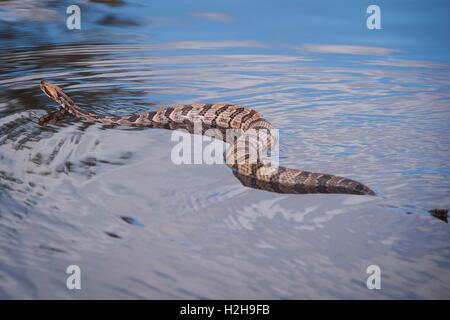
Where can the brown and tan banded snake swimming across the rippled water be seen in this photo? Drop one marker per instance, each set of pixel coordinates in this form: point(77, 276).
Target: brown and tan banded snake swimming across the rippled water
point(257, 135)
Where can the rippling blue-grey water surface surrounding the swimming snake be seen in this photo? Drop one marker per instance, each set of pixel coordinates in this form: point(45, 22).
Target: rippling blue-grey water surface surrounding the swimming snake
point(370, 105)
